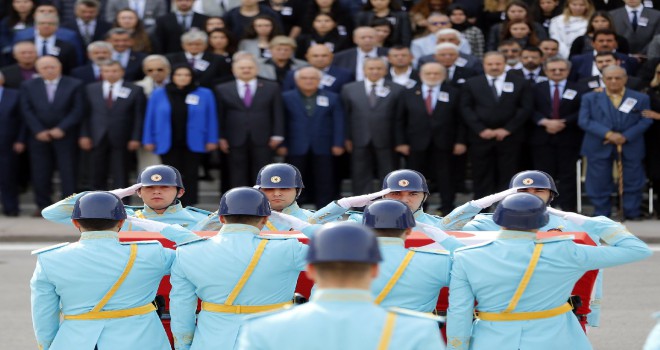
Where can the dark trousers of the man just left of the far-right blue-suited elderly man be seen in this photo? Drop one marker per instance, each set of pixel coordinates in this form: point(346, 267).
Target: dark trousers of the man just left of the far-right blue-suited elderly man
point(558, 160)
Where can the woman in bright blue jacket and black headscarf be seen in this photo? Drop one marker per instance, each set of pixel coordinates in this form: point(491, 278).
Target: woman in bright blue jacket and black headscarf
point(180, 125)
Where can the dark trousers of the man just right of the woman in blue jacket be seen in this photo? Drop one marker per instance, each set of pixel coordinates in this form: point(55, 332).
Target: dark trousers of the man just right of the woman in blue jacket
point(245, 162)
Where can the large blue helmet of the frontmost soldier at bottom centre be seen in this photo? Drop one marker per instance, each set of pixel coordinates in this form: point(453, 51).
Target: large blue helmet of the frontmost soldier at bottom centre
point(343, 242)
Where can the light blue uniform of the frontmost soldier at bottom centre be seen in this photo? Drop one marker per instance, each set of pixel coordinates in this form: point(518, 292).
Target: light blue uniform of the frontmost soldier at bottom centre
point(345, 319)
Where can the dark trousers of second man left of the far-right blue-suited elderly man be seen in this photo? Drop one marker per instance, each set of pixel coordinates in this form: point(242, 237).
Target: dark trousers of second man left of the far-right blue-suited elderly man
point(494, 163)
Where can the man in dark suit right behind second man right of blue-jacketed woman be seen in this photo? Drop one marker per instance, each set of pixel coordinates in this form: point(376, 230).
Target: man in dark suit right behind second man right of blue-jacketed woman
point(320, 57)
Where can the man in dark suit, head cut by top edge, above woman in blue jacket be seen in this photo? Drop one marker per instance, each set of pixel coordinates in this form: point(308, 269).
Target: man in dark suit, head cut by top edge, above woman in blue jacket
point(171, 26)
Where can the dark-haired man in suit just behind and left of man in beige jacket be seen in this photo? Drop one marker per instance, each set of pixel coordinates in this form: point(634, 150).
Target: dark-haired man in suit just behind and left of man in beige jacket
point(131, 61)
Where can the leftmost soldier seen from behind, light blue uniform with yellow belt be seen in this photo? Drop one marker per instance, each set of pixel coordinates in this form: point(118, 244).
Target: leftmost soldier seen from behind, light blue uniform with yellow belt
point(103, 288)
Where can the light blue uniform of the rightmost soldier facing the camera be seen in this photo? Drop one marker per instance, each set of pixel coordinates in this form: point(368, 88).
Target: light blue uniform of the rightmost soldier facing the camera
point(469, 214)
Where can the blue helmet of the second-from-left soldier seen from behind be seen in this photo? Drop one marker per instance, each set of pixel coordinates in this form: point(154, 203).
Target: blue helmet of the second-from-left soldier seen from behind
point(244, 201)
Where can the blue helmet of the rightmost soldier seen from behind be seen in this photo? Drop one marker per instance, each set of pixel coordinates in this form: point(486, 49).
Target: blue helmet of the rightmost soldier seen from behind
point(521, 211)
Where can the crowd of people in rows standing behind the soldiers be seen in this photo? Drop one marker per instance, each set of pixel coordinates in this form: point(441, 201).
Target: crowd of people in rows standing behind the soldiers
point(338, 88)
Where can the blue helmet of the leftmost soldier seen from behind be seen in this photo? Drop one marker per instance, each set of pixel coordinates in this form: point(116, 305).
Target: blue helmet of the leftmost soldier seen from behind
point(99, 205)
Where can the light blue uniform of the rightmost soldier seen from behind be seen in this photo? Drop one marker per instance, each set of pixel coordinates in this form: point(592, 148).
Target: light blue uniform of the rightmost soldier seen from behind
point(491, 272)
